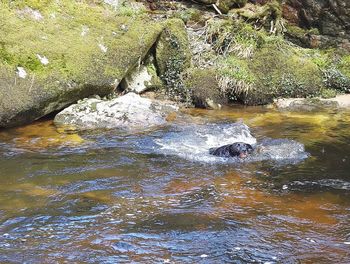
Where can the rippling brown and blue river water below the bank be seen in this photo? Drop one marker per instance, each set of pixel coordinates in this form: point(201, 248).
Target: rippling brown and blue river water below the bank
point(158, 197)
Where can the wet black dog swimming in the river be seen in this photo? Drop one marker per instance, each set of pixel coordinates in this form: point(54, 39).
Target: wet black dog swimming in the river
point(237, 149)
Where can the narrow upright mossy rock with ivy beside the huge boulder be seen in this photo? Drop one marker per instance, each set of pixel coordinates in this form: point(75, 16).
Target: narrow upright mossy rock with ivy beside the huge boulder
point(173, 56)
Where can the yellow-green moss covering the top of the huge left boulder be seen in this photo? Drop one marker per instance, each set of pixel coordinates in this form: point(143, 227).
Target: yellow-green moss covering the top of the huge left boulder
point(71, 35)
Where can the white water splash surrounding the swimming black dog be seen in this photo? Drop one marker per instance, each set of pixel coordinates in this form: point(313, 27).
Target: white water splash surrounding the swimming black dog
point(193, 143)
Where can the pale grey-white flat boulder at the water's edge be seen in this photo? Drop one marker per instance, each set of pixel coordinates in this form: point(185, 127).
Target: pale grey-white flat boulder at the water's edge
point(128, 112)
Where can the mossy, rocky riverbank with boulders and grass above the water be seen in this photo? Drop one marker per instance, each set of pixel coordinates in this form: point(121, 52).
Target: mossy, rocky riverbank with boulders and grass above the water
point(203, 53)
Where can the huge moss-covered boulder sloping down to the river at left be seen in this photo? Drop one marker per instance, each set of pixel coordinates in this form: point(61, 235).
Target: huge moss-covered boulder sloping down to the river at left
point(53, 53)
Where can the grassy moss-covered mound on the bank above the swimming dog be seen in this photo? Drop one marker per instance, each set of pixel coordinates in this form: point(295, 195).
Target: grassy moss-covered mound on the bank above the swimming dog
point(254, 67)
